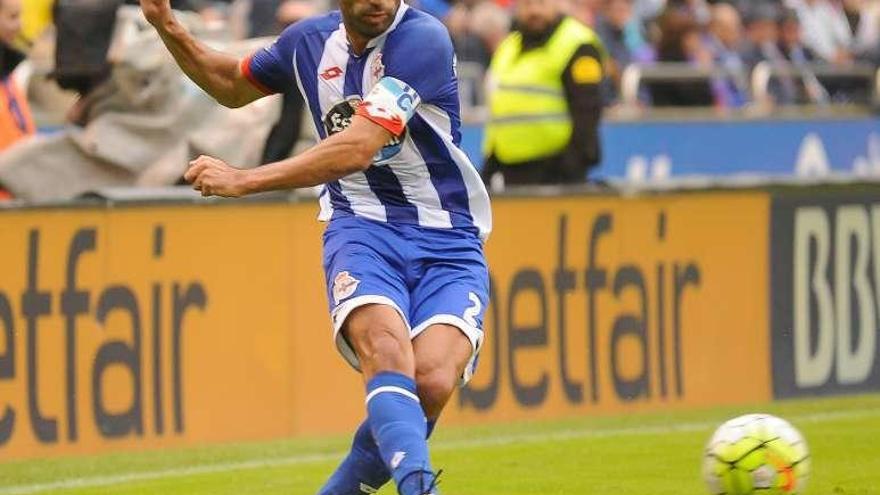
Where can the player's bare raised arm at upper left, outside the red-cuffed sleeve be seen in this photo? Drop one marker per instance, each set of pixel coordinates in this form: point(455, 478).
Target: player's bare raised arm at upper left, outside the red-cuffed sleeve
point(218, 74)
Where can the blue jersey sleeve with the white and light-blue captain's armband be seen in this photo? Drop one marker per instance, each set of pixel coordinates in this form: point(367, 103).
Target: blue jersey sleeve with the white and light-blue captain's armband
point(419, 67)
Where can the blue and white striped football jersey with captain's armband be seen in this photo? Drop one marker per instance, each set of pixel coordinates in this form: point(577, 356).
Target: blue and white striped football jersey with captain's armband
point(404, 81)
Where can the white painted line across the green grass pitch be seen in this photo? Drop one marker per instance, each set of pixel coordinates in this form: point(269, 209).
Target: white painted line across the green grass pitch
point(518, 438)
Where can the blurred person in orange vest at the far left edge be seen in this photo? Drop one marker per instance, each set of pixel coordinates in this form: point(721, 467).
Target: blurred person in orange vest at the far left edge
point(15, 116)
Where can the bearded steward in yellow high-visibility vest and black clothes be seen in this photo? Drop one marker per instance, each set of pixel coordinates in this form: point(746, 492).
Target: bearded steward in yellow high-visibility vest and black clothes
point(545, 103)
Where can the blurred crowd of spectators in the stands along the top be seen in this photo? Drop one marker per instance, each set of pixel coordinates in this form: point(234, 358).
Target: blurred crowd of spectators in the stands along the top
point(729, 37)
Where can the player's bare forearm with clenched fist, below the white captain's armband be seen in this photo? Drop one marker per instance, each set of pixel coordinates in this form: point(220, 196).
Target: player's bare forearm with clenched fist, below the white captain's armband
point(342, 154)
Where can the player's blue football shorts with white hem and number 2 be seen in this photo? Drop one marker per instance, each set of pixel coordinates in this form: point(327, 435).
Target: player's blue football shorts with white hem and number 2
point(428, 275)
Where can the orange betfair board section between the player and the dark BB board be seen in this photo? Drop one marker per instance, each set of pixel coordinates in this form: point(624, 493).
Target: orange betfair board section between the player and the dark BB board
point(604, 305)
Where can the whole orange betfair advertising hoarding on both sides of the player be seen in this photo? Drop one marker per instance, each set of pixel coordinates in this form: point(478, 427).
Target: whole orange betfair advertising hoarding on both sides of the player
point(147, 327)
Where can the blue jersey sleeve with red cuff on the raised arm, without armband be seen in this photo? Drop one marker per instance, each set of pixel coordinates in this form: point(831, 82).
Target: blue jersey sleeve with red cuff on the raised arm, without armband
point(271, 69)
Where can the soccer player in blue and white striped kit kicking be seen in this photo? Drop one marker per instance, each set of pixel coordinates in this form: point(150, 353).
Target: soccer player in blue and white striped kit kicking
point(407, 281)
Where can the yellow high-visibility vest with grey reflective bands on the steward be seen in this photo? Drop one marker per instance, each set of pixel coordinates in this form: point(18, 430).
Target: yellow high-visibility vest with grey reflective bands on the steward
point(529, 117)
